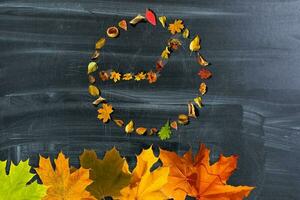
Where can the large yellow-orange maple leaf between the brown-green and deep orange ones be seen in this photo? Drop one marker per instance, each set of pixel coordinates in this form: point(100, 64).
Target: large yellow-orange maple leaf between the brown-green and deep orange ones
point(146, 185)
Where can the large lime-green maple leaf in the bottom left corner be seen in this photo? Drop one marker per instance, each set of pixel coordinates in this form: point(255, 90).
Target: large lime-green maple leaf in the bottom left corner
point(13, 186)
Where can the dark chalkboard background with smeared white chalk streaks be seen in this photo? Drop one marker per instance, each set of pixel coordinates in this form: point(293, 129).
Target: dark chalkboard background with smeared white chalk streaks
point(252, 106)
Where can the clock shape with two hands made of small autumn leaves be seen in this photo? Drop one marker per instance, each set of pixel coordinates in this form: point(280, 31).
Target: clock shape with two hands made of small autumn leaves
point(177, 30)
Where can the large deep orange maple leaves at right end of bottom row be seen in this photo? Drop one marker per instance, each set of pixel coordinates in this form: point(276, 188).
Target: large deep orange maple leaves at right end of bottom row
point(194, 176)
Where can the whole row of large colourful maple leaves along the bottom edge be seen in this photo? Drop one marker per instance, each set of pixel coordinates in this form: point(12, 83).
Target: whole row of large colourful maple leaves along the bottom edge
point(177, 177)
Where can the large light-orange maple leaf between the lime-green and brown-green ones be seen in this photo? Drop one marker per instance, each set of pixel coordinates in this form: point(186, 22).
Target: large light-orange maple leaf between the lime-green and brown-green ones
point(61, 183)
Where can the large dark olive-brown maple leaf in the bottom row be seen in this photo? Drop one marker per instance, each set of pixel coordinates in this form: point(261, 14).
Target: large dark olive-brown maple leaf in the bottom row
point(110, 175)
